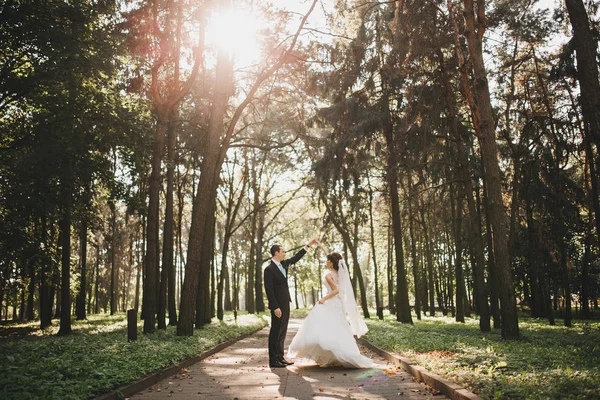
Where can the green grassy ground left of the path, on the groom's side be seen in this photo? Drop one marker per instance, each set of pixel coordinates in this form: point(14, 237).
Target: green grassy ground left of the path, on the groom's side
point(97, 357)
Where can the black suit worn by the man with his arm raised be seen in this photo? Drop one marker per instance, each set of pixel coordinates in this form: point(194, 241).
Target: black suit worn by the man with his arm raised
point(278, 294)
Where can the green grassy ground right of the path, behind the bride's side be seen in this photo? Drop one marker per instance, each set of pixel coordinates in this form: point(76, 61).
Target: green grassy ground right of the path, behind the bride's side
point(549, 362)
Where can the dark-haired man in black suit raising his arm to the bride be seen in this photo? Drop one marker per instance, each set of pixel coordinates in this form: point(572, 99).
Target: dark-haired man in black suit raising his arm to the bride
point(278, 294)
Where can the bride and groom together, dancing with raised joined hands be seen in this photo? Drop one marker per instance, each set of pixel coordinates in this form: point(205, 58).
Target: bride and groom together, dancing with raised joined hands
point(327, 334)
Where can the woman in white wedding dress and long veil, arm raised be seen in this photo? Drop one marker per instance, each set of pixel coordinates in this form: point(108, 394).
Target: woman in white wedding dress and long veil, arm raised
point(326, 336)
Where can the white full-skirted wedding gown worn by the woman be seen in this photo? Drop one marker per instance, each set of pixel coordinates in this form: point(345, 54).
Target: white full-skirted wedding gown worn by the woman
point(326, 336)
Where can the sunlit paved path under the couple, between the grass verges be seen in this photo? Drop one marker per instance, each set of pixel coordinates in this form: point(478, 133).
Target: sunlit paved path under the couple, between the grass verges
point(241, 371)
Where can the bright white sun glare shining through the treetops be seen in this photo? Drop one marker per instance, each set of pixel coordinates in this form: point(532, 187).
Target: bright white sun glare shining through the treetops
point(235, 30)
